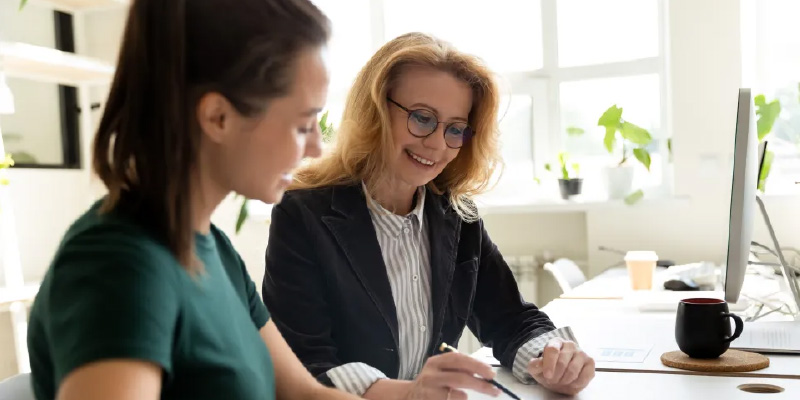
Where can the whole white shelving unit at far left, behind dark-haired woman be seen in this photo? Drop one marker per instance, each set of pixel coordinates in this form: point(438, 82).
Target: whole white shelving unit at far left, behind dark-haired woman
point(50, 65)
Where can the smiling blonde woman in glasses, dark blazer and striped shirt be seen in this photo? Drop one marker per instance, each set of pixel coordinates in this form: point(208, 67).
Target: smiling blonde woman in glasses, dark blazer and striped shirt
point(377, 254)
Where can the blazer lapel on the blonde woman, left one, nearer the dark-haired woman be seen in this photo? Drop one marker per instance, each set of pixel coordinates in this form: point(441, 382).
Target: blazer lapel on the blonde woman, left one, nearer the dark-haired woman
point(352, 227)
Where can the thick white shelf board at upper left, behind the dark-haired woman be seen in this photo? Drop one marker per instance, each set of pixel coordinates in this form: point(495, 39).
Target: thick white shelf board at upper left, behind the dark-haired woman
point(49, 65)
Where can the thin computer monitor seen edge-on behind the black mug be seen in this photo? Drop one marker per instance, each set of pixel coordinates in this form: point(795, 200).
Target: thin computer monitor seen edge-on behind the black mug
point(746, 165)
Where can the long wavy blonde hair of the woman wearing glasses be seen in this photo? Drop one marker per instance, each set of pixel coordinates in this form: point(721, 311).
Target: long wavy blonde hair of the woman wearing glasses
point(364, 139)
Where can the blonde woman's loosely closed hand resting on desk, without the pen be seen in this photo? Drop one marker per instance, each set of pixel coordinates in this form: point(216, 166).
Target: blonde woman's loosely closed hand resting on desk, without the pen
point(563, 367)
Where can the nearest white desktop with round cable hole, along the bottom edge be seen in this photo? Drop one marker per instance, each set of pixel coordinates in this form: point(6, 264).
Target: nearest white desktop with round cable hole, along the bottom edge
point(615, 385)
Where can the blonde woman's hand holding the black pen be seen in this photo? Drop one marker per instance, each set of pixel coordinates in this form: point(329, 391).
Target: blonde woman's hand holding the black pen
point(444, 376)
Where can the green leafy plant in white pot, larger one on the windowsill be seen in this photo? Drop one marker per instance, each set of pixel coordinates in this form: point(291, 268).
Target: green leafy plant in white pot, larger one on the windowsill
point(633, 140)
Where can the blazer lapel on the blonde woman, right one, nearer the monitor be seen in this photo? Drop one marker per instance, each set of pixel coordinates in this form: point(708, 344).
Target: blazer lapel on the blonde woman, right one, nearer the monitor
point(444, 230)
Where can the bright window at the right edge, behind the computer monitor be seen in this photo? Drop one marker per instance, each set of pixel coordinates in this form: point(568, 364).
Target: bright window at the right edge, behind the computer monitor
point(771, 66)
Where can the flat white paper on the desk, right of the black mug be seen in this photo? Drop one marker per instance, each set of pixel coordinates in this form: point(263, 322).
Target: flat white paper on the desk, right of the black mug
point(770, 337)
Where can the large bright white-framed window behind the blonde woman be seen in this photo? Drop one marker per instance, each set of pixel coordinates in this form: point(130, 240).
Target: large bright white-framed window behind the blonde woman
point(560, 63)
